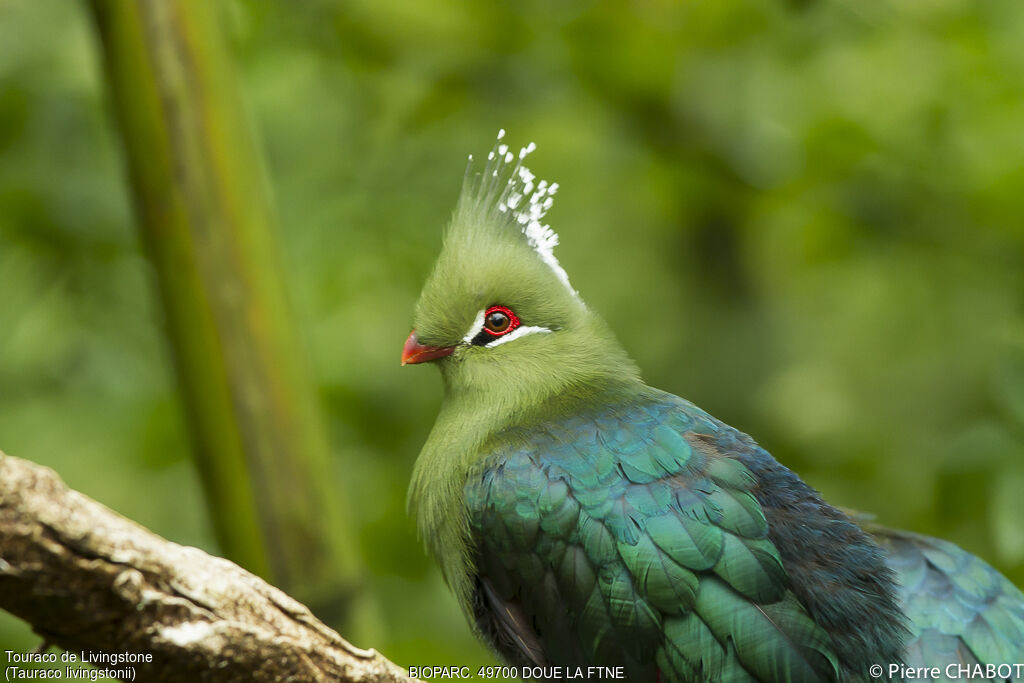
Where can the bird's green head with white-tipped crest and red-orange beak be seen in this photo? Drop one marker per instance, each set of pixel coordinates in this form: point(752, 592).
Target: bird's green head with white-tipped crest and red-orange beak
point(498, 313)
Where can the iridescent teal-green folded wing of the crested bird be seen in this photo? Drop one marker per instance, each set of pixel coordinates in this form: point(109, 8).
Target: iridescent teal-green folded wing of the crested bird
point(608, 539)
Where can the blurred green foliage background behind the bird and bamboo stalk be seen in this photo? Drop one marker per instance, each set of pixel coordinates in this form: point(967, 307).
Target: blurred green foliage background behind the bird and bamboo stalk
point(806, 218)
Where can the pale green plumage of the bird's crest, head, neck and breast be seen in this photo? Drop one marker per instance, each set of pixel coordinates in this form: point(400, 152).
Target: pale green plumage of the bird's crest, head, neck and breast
point(498, 252)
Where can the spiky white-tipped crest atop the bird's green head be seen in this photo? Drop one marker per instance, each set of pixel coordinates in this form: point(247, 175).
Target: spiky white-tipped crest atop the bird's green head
point(509, 196)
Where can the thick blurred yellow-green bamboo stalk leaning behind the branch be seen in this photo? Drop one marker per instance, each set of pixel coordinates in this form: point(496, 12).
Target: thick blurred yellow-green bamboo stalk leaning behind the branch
point(206, 223)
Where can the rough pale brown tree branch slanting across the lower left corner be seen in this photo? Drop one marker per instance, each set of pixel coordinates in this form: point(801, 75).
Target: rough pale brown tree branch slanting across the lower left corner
point(88, 579)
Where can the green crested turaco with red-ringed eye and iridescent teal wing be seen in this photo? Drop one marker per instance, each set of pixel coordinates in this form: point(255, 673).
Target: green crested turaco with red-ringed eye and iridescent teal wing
point(585, 520)
